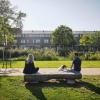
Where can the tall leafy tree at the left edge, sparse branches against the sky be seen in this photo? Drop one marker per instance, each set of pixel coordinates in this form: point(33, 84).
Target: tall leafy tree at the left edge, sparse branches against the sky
point(9, 18)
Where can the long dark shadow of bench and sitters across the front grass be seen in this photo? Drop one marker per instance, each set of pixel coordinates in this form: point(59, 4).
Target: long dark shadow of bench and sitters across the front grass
point(36, 88)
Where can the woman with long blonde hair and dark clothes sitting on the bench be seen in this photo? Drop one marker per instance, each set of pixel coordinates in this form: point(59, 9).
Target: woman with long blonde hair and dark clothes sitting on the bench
point(29, 65)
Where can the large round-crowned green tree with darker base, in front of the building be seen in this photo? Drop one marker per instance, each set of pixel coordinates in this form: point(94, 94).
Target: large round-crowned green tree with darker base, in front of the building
point(62, 37)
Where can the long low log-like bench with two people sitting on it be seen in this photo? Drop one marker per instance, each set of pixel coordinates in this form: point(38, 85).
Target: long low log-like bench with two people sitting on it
point(45, 76)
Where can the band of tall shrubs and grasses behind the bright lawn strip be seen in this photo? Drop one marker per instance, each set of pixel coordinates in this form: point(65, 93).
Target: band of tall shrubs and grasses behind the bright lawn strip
point(50, 54)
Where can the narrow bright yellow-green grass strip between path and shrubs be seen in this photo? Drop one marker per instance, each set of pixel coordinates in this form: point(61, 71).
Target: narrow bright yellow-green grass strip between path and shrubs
point(55, 64)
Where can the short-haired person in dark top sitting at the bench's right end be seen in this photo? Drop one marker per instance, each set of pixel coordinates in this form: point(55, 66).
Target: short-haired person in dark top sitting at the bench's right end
point(76, 64)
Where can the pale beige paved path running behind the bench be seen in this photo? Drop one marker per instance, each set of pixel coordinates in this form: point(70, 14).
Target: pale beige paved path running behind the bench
point(18, 71)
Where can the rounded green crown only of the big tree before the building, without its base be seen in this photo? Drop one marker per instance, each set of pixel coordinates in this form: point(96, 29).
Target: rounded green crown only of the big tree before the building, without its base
point(62, 36)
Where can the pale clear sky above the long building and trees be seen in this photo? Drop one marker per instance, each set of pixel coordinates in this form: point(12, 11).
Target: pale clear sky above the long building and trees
point(49, 14)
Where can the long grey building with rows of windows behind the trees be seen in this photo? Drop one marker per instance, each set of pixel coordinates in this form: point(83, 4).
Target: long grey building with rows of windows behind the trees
point(39, 39)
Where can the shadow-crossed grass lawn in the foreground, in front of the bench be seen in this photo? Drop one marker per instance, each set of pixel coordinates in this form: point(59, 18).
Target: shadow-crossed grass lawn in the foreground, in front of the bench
point(13, 88)
